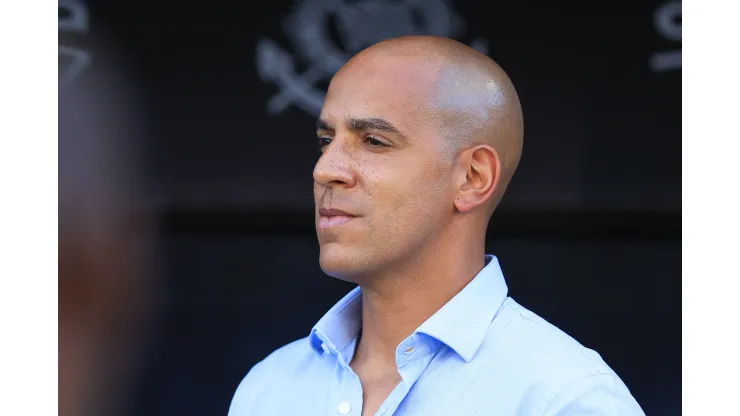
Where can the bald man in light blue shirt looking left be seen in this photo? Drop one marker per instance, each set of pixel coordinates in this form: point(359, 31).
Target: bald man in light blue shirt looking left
point(419, 139)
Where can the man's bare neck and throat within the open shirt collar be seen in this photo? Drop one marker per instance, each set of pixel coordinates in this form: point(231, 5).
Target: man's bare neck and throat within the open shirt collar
point(392, 308)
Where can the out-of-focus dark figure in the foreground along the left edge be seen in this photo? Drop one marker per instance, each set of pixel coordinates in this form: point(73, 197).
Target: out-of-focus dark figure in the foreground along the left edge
point(103, 240)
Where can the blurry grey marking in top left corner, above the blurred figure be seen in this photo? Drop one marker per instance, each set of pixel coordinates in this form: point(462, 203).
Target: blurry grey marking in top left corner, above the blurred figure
point(73, 19)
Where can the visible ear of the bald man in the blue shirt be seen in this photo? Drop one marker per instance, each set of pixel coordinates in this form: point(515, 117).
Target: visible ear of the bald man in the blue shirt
point(482, 168)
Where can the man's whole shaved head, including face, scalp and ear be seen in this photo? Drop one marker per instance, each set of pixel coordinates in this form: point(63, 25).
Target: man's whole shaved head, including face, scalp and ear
point(419, 138)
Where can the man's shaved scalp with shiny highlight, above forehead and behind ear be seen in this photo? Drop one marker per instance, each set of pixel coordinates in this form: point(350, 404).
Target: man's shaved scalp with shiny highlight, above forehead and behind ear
point(466, 95)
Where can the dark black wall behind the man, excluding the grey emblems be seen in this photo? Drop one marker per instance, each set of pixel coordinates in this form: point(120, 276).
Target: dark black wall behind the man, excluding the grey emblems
point(588, 235)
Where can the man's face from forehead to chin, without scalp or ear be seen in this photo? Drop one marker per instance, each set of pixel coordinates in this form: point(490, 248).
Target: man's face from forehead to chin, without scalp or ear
point(382, 186)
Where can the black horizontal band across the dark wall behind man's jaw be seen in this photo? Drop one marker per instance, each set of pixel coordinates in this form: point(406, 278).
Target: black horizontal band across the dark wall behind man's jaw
point(661, 225)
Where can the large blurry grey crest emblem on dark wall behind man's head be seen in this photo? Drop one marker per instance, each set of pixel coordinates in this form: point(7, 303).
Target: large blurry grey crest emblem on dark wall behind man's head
point(357, 24)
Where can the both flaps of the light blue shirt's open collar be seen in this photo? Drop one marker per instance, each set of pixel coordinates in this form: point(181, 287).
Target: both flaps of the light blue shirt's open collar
point(461, 324)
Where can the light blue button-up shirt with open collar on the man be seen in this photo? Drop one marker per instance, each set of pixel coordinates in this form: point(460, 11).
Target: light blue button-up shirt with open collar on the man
point(480, 354)
